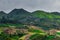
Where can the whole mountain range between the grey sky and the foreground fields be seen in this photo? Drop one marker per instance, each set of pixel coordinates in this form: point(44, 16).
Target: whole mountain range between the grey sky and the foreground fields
point(46, 20)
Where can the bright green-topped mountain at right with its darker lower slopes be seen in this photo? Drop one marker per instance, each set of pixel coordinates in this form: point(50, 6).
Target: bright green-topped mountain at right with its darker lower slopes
point(47, 20)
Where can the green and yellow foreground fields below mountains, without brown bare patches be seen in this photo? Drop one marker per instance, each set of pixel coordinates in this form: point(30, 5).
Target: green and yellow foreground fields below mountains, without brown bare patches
point(35, 34)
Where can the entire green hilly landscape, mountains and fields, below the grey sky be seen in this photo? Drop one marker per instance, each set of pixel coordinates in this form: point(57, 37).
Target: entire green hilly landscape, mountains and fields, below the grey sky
point(20, 24)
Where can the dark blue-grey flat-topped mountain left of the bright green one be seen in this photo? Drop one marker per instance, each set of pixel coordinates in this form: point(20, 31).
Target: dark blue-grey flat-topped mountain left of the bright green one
point(17, 15)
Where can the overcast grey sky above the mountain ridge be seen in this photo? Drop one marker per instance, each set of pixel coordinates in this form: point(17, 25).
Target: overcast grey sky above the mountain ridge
point(30, 5)
